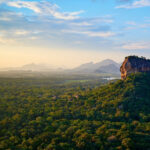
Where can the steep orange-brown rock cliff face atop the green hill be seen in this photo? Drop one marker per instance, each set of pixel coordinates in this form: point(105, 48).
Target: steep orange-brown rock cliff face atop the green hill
point(134, 64)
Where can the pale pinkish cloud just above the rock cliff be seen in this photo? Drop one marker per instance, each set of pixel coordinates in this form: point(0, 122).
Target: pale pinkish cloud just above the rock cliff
point(136, 46)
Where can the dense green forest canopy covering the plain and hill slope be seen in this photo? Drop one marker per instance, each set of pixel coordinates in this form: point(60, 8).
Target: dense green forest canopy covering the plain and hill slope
point(38, 114)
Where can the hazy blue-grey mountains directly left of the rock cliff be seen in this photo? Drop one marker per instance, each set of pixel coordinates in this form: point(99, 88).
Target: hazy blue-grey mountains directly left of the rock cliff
point(105, 66)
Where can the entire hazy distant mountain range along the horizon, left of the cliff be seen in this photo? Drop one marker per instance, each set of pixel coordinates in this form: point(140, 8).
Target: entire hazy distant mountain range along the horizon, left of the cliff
point(105, 66)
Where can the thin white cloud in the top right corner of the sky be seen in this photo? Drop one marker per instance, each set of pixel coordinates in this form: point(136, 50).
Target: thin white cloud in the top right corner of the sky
point(136, 4)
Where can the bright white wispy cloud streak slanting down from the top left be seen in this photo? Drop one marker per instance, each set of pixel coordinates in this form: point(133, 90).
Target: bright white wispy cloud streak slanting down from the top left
point(45, 8)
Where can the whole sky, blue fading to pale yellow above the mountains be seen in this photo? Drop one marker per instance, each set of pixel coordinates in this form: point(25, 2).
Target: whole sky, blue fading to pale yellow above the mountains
point(67, 33)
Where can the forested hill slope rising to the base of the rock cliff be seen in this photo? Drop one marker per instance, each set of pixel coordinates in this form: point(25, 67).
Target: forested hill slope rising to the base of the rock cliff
point(130, 95)
